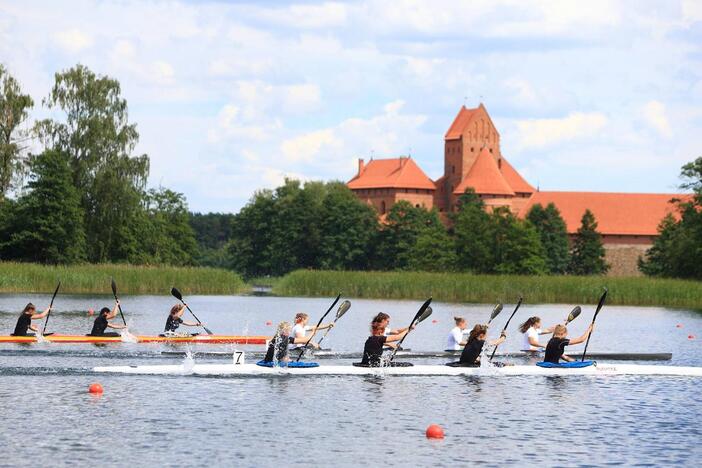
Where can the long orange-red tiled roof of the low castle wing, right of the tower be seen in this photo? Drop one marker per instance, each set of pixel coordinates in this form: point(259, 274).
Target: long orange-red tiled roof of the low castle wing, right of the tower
point(615, 213)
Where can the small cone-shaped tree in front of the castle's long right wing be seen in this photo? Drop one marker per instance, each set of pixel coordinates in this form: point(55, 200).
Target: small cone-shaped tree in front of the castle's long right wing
point(588, 254)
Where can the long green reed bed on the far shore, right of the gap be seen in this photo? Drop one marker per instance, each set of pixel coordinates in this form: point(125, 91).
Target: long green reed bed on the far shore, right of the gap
point(462, 287)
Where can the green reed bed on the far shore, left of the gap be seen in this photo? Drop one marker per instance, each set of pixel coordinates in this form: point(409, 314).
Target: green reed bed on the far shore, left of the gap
point(131, 279)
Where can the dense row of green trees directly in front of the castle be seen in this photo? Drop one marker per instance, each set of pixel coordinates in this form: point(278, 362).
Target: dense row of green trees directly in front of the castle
point(325, 226)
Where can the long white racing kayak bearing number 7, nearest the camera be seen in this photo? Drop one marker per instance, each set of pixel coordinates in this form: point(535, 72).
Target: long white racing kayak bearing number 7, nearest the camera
point(599, 369)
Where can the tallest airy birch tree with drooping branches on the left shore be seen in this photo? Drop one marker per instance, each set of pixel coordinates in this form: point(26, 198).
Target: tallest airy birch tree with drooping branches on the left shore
point(98, 138)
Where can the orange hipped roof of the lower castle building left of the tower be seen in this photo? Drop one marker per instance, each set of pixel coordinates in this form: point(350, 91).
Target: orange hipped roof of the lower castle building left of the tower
point(400, 172)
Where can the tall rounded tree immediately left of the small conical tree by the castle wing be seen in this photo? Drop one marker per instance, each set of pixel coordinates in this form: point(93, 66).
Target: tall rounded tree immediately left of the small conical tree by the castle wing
point(553, 234)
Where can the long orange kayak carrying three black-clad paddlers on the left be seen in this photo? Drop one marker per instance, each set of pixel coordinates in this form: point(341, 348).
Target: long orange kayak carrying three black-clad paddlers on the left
point(204, 339)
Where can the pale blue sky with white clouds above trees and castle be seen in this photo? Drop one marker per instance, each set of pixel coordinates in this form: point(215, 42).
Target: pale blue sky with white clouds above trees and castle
point(232, 97)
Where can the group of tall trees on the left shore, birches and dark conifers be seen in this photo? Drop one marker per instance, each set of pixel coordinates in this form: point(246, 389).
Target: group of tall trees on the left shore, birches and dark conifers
point(83, 196)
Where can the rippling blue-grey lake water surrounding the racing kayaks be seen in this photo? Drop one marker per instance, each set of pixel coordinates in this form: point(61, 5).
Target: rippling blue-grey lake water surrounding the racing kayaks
point(49, 419)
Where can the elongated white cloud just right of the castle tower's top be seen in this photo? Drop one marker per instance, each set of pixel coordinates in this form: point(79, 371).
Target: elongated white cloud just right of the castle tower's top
point(536, 133)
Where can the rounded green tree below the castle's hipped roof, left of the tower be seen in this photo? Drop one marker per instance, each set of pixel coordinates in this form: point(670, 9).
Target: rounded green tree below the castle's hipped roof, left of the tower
point(397, 237)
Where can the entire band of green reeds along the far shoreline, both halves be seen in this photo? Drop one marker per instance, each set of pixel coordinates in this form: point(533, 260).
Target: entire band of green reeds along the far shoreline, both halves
point(444, 287)
